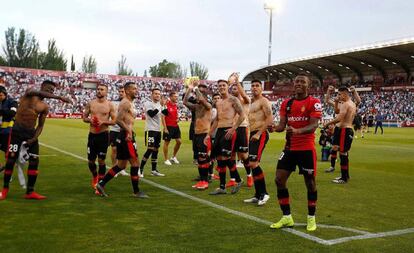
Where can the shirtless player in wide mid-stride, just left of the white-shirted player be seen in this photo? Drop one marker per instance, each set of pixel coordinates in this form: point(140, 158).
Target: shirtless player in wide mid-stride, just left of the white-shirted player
point(126, 146)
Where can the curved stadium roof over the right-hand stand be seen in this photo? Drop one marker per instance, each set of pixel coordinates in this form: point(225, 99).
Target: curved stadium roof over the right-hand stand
point(376, 59)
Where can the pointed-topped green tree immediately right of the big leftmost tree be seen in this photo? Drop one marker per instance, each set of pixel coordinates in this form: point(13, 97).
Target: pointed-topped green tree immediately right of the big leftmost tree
point(53, 59)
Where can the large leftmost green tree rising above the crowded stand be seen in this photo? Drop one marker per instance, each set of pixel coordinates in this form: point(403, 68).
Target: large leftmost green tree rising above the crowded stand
point(21, 49)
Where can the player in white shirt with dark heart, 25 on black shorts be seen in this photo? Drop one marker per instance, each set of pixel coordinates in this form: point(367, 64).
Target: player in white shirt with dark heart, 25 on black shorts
point(153, 113)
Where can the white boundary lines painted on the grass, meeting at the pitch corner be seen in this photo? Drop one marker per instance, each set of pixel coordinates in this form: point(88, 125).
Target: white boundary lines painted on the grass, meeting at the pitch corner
point(364, 234)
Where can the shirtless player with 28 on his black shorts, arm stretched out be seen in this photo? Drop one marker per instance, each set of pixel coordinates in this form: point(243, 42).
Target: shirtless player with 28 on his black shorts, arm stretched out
point(31, 113)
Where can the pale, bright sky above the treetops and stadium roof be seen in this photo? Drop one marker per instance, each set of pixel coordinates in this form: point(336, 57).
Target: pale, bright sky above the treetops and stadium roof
point(224, 35)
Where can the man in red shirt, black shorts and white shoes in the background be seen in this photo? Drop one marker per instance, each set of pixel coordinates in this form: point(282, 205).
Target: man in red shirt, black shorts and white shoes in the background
point(171, 128)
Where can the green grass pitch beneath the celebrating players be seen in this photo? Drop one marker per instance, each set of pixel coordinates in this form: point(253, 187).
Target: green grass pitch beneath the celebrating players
point(379, 198)
